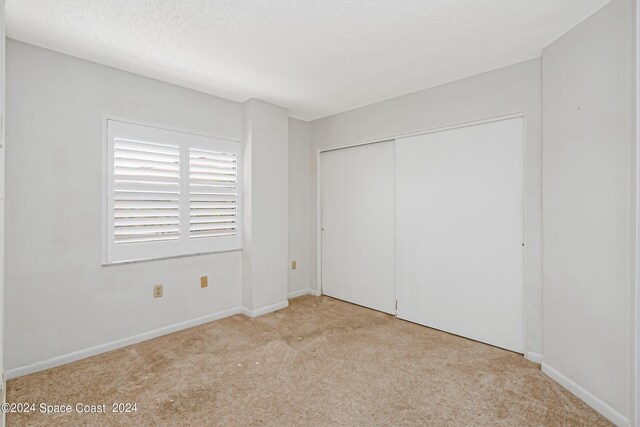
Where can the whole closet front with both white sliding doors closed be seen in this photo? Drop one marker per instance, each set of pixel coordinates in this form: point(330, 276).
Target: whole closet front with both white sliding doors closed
point(430, 227)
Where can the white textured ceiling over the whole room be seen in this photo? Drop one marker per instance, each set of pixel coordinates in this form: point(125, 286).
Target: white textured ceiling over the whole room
point(315, 57)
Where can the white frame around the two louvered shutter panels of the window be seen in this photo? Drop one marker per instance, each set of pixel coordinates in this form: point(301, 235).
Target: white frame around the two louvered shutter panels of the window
point(184, 245)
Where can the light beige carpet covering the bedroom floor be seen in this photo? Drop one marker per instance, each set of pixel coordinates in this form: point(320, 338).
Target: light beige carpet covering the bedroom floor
point(318, 362)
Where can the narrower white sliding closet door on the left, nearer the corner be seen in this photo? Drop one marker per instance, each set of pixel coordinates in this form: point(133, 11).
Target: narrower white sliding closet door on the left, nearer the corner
point(357, 237)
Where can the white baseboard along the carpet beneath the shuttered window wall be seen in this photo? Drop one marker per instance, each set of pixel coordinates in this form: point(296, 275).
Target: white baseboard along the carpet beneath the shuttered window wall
point(113, 345)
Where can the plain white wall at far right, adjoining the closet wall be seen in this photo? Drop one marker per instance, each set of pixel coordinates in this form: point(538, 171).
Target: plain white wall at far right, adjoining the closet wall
point(588, 136)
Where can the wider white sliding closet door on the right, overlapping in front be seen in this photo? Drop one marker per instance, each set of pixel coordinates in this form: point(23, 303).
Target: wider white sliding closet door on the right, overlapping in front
point(459, 224)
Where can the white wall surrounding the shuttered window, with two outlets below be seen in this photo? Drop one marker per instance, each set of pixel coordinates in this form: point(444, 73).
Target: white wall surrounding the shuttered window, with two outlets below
point(59, 299)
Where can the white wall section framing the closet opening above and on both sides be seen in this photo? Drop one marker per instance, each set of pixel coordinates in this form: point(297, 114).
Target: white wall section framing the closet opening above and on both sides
point(516, 88)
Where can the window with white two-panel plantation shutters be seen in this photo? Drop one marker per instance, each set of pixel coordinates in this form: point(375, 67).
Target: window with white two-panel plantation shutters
point(170, 193)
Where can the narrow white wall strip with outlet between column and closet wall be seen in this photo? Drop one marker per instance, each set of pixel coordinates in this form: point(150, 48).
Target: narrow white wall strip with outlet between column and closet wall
point(298, 205)
